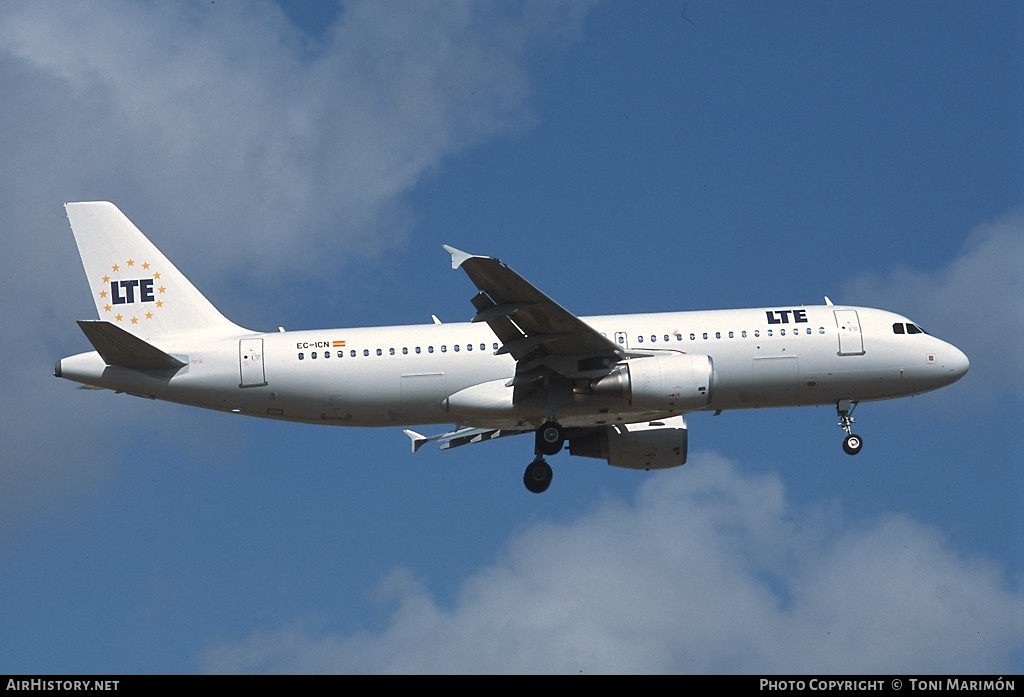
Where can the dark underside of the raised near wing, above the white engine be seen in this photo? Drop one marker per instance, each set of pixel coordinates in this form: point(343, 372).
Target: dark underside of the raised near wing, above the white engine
point(547, 341)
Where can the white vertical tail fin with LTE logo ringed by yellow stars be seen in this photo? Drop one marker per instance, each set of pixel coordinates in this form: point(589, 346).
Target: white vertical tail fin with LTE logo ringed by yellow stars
point(134, 284)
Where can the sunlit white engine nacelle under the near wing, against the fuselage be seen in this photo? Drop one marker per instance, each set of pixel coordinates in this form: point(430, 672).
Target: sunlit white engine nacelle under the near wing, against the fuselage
point(669, 382)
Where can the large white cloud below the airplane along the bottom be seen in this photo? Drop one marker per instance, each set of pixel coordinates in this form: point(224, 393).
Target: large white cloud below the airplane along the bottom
point(709, 572)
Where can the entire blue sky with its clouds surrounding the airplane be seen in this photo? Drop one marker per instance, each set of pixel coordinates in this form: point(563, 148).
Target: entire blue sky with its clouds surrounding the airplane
point(305, 164)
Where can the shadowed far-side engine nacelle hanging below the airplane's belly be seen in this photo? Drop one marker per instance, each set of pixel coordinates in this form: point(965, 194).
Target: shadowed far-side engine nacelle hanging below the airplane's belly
point(656, 446)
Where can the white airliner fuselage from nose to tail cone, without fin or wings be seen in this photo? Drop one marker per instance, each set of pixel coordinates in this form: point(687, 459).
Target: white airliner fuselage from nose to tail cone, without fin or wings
point(449, 373)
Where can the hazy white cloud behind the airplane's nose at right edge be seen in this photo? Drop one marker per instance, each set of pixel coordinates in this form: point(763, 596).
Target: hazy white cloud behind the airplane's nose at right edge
point(975, 302)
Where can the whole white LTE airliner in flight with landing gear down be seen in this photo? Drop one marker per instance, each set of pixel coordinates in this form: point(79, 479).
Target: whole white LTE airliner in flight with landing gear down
point(615, 387)
